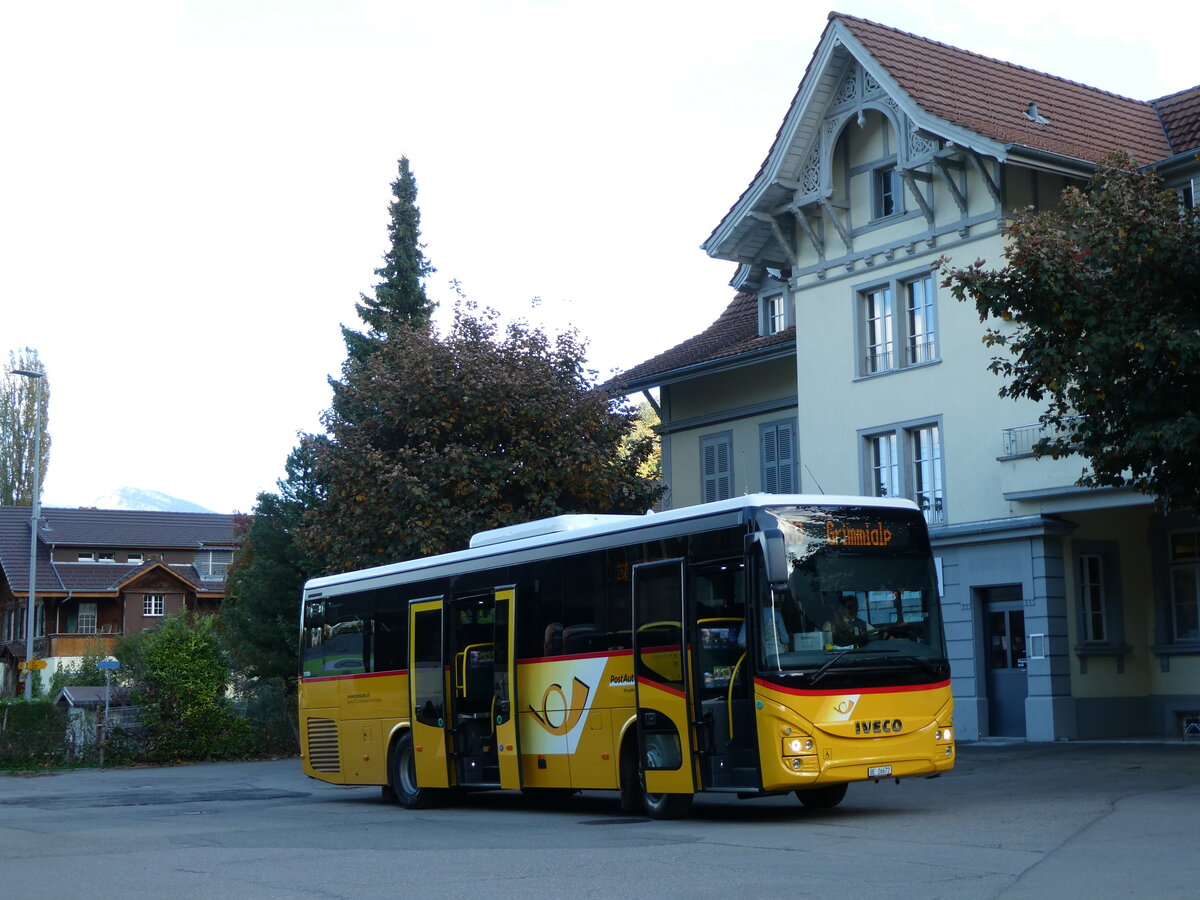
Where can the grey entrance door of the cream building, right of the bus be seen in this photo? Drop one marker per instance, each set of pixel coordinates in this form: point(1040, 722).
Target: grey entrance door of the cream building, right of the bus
point(1007, 680)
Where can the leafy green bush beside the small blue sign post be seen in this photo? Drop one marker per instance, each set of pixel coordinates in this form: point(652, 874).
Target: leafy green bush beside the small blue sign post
point(179, 674)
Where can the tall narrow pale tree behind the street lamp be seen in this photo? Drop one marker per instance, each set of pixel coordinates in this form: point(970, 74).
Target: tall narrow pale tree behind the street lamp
point(19, 421)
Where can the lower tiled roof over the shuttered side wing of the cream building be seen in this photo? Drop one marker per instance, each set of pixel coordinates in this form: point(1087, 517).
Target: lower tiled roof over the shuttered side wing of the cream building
point(733, 337)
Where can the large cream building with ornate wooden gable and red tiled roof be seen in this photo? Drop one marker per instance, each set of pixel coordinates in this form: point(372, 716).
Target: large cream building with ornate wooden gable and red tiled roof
point(1071, 614)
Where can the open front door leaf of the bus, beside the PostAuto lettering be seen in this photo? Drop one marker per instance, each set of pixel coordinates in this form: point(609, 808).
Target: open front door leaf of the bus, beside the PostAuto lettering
point(664, 724)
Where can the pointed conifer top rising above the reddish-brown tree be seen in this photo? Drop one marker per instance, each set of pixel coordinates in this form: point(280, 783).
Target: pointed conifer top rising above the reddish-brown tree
point(400, 297)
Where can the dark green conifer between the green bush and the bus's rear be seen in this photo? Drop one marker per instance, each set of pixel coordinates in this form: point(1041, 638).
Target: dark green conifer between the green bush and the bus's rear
point(261, 615)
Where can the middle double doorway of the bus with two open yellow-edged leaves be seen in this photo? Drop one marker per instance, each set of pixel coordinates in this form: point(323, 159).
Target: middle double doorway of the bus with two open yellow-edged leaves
point(463, 681)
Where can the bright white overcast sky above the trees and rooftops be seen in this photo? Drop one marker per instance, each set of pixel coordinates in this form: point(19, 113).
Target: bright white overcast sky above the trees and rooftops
point(195, 193)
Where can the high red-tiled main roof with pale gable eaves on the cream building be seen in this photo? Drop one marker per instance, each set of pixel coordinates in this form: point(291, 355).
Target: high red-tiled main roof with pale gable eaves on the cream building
point(977, 103)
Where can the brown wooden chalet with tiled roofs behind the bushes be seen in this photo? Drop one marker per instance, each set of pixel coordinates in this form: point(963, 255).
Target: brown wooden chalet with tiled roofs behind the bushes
point(103, 574)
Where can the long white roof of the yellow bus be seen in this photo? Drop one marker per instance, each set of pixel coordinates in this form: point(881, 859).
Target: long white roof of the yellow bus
point(562, 530)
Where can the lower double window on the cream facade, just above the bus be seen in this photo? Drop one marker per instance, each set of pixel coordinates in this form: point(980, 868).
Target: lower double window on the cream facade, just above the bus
point(908, 460)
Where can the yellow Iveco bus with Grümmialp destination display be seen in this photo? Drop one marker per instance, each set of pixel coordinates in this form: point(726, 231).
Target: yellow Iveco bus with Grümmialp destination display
point(754, 646)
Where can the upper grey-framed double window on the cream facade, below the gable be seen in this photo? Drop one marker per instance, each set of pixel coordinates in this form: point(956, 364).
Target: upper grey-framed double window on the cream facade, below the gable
point(893, 339)
